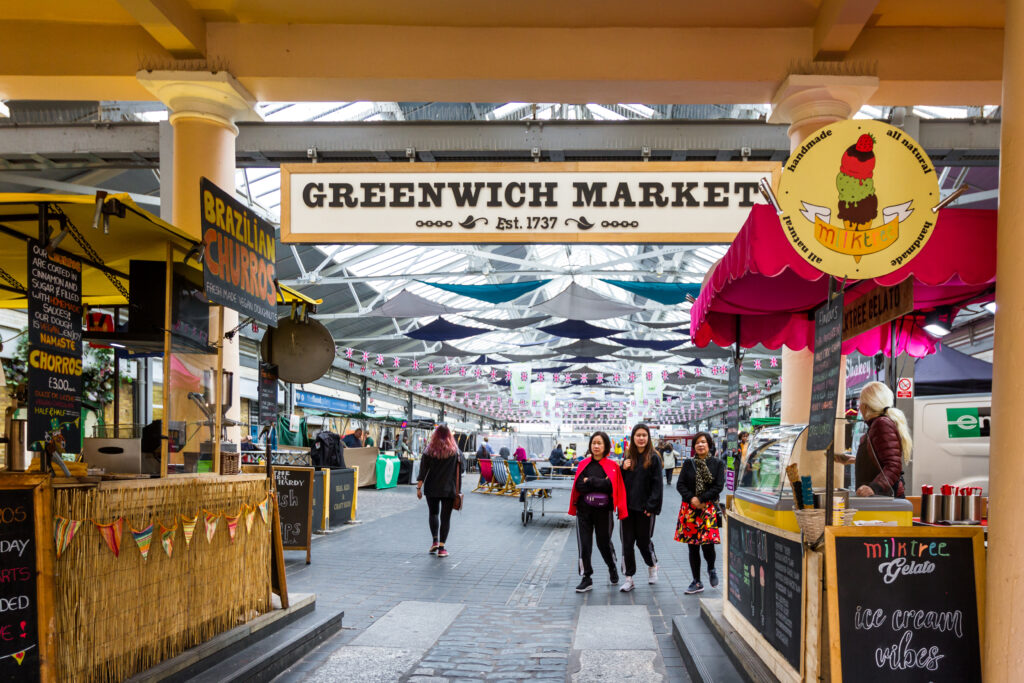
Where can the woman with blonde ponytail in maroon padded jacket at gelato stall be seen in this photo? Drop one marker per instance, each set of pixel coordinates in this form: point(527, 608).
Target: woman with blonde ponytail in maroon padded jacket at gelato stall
point(886, 447)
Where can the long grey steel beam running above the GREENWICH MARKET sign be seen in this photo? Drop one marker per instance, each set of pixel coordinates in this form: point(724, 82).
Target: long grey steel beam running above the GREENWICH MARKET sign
point(966, 143)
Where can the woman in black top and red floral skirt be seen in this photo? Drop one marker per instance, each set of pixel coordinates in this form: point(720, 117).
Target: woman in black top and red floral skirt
point(701, 483)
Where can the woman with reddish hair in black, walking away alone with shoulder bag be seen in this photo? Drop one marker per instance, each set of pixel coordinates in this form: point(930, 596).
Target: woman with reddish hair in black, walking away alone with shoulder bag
point(440, 479)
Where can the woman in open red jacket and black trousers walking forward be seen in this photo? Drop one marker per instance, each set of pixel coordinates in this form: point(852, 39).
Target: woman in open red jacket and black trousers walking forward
point(598, 495)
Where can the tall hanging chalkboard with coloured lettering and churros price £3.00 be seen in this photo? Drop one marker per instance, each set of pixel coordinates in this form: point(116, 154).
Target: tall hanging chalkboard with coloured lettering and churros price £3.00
point(55, 349)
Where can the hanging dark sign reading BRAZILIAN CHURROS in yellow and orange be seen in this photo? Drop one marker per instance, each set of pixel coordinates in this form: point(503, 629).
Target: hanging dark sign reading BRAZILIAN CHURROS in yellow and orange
point(240, 266)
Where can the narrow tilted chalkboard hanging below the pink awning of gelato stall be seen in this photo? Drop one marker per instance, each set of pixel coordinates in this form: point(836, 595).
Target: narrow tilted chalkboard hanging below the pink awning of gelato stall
point(825, 381)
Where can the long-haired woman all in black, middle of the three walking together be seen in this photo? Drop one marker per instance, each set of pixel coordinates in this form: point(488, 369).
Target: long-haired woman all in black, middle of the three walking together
point(643, 479)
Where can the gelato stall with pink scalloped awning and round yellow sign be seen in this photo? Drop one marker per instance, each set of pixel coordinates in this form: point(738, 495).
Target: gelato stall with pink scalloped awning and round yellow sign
point(798, 544)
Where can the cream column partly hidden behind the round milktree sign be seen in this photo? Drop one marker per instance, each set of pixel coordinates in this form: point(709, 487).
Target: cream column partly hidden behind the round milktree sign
point(808, 104)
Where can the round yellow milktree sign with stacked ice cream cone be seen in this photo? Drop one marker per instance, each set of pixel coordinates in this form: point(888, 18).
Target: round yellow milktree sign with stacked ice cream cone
point(858, 199)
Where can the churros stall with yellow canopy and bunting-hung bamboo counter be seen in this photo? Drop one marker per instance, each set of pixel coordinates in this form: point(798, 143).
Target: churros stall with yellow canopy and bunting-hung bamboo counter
point(129, 554)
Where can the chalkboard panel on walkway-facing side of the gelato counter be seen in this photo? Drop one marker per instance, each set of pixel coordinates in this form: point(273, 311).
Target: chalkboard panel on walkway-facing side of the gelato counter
point(766, 585)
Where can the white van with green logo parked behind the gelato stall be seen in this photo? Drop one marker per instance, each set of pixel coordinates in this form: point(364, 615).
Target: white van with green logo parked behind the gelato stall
point(951, 442)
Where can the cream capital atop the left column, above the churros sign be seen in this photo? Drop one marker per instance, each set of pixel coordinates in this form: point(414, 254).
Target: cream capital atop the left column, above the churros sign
point(218, 97)
